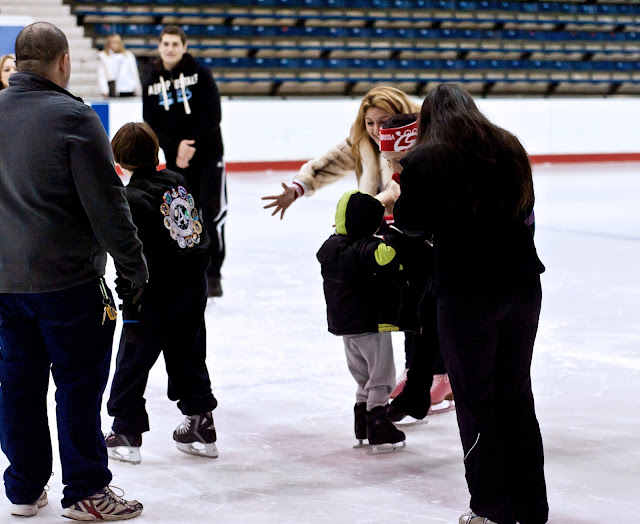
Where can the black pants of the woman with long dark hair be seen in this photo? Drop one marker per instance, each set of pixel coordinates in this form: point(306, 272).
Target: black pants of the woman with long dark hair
point(486, 339)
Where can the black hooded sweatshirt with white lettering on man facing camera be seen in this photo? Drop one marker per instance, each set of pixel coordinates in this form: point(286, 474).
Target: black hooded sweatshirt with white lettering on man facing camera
point(188, 108)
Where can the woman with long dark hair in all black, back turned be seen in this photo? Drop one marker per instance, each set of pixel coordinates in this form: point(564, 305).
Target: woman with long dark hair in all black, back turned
point(468, 185)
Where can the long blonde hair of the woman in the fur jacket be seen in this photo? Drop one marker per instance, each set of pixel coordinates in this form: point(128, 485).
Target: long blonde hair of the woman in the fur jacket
point(388, 99)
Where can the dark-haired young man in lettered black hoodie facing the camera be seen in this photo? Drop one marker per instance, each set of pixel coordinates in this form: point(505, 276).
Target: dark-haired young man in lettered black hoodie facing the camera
point(181, 103)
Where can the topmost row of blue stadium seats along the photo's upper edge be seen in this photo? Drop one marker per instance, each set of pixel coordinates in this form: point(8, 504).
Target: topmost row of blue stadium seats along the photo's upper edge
point(572, 8)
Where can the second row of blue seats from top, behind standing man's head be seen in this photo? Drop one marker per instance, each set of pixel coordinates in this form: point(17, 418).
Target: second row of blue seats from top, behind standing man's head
point(382, 33)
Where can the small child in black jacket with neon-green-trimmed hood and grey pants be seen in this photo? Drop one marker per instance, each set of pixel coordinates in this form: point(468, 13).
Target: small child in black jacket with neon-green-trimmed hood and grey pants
point(363, 305)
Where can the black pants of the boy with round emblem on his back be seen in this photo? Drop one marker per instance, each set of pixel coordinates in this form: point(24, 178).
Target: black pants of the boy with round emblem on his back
point(172, 323)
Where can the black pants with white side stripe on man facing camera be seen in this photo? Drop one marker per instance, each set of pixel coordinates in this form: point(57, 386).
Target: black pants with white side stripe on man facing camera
point(208, 181)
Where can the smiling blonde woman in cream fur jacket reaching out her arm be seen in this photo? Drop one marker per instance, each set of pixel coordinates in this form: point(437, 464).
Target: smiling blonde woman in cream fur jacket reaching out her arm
point(359, 154)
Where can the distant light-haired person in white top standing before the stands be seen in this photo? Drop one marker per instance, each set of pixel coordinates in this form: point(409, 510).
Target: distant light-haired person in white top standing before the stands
point(118, 70)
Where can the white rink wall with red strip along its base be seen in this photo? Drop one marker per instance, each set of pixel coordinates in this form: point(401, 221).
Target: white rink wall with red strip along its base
point(281, 134)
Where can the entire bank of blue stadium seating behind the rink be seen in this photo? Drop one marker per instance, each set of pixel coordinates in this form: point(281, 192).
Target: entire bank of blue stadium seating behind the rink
point(494, 47)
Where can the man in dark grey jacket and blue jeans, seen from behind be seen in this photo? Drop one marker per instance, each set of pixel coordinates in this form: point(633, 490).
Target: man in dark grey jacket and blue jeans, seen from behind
point(62, 207)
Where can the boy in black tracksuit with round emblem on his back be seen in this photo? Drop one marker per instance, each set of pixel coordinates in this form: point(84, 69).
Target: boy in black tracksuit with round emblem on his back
point(169, 317)
